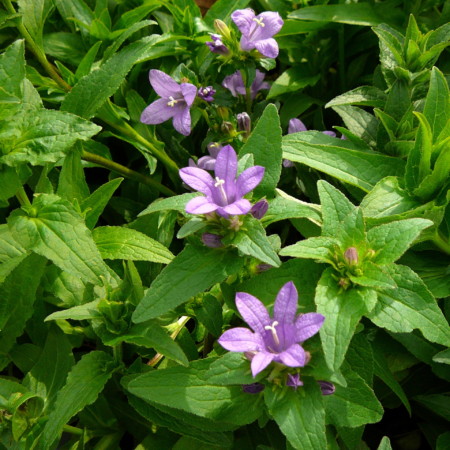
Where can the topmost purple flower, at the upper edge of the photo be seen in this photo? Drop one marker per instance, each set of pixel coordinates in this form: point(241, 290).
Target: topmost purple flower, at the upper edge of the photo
point(257, 31)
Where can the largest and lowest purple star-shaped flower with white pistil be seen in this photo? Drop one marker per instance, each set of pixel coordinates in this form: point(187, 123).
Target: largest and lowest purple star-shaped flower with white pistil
point(274, 339)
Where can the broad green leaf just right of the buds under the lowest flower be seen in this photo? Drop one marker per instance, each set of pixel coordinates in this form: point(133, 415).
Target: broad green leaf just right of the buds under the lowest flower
point(354, 405)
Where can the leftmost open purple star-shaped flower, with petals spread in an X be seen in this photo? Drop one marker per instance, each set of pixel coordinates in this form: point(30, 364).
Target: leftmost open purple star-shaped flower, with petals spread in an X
point(175, 102)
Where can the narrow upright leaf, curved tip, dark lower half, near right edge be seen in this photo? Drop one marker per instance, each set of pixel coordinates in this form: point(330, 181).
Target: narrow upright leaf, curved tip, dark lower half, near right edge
point(419, 159)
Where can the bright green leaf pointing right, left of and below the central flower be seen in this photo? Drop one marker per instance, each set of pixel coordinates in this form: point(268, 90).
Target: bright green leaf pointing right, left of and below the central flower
point(126, 243)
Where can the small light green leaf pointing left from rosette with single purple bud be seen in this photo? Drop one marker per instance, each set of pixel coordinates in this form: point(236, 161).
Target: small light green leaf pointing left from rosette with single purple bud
point(320, 248)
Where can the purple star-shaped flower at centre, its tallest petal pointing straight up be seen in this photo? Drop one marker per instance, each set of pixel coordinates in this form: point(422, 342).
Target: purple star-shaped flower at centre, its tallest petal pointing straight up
point(224, 193)
